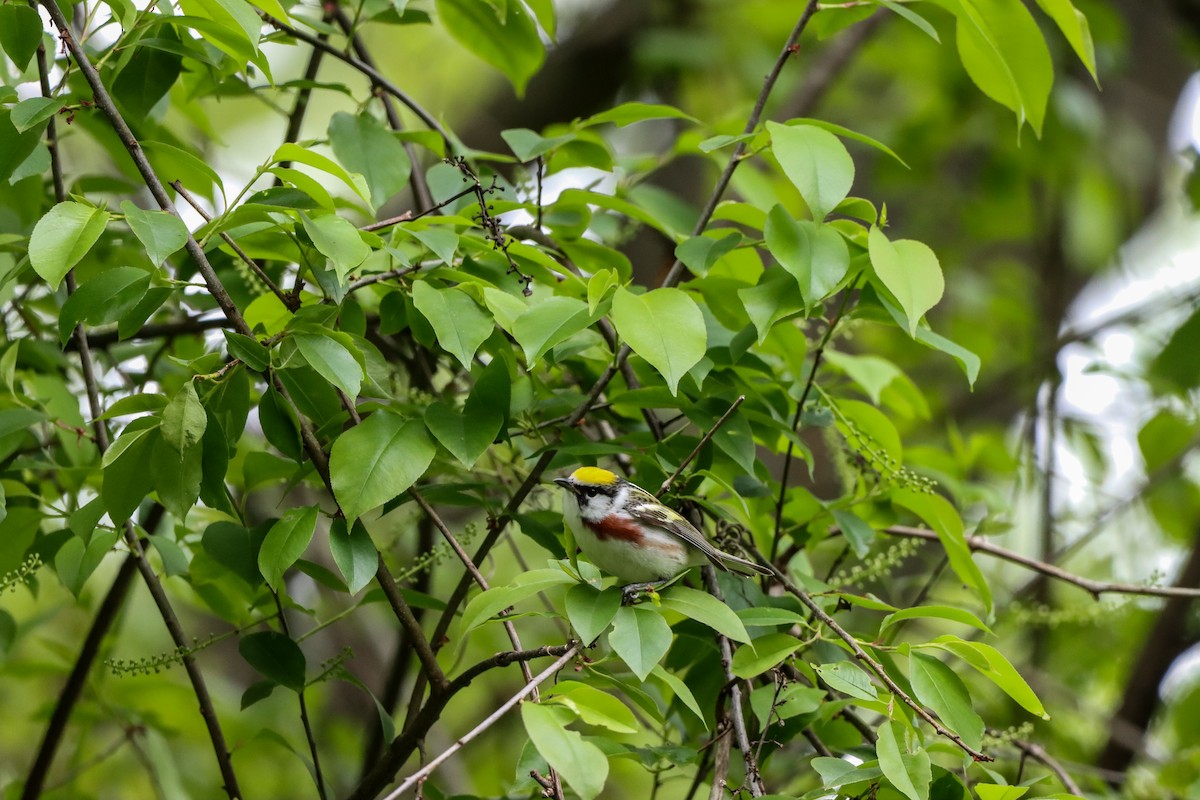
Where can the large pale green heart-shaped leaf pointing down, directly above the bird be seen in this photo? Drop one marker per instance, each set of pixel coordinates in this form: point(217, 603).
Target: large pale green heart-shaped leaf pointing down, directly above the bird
point(664, 327)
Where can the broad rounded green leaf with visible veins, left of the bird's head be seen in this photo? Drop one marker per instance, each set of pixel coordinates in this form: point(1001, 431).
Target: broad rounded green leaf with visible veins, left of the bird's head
point(376, 461)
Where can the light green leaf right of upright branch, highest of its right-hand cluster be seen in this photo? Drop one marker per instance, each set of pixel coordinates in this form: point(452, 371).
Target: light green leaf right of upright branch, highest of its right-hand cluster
point(817, 163)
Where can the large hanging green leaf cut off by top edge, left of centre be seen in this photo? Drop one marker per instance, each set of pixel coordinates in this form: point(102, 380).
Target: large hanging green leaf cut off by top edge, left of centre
point(511, 44)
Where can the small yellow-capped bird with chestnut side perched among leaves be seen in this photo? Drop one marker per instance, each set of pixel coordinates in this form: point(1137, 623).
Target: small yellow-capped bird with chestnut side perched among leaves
point(626, 532)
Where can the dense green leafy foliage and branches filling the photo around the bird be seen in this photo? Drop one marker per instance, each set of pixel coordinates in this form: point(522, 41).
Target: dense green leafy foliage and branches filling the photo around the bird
point(280, 407)
